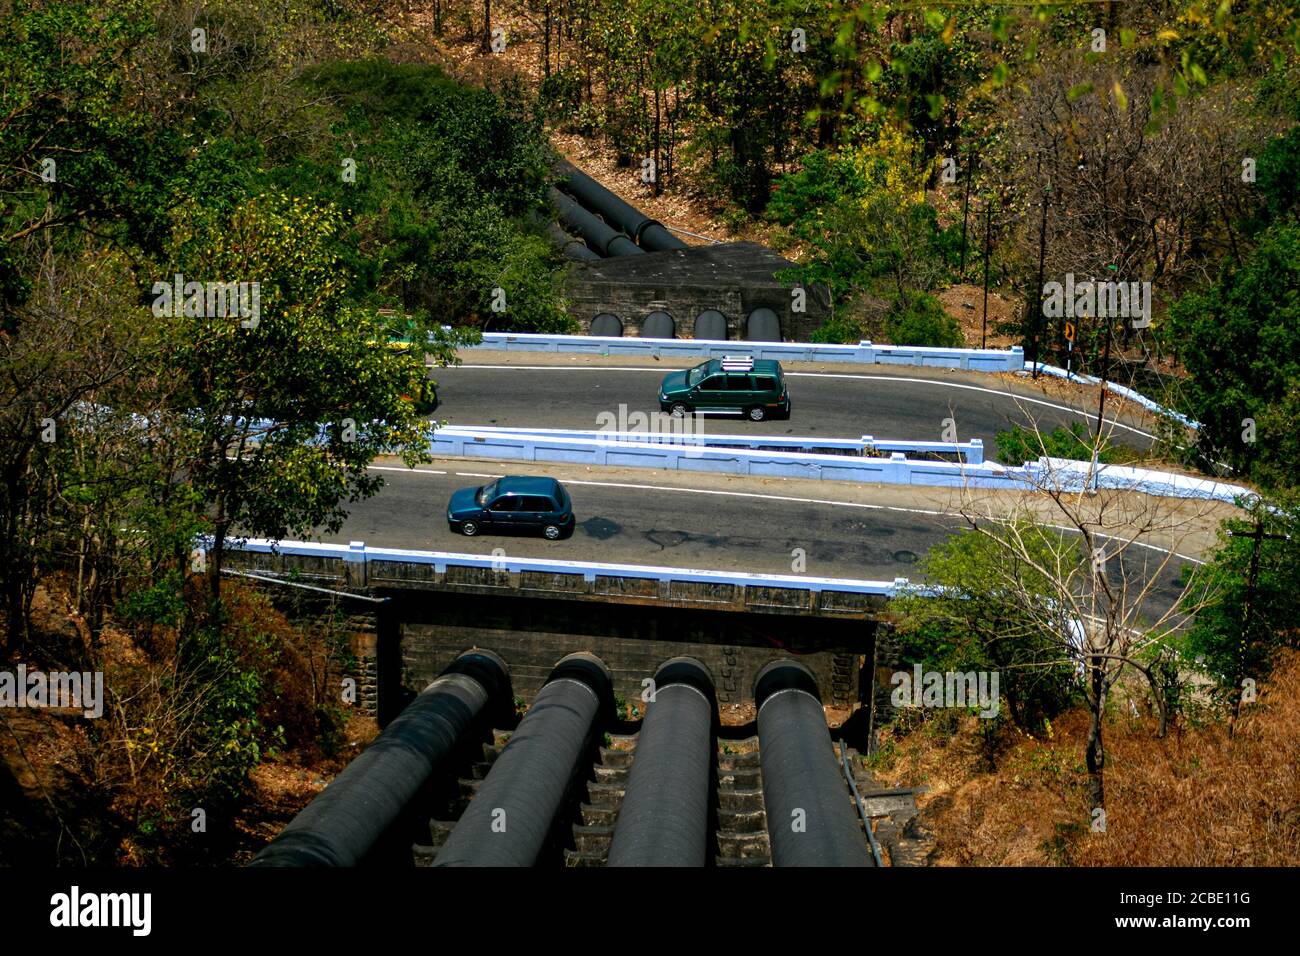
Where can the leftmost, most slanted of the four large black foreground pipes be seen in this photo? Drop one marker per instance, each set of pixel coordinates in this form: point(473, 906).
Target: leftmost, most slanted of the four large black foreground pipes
point(341, 825)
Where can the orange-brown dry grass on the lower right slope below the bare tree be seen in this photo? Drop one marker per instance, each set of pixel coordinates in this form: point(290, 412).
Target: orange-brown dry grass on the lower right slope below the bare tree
point(1195, 799)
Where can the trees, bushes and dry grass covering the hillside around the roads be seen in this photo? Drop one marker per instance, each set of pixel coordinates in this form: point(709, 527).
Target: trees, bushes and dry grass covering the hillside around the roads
point(379, 171)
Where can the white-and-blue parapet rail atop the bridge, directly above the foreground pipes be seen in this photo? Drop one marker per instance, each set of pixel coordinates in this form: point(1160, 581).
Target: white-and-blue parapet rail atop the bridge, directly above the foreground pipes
point(358, 552)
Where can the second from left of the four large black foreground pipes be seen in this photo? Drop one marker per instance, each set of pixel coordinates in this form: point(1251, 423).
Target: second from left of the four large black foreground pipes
point(513, 815)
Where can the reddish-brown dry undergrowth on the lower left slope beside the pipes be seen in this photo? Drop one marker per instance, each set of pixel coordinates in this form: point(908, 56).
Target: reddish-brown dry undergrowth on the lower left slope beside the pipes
point(110, 791)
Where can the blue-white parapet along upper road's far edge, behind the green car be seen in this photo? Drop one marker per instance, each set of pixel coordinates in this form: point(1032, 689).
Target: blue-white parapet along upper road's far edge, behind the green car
point(864, 353)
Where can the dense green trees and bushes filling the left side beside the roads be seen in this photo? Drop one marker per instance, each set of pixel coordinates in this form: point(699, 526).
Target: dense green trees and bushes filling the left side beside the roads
point(376, 209)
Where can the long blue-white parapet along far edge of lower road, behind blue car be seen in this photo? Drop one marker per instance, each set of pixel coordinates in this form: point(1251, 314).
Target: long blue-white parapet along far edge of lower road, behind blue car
point(896, 470)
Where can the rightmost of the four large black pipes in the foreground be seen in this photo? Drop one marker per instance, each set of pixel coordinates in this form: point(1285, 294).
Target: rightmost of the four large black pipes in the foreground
point(811, 817)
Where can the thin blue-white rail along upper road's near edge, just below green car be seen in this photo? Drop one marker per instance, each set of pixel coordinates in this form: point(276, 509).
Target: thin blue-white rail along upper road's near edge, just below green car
point(970, 452)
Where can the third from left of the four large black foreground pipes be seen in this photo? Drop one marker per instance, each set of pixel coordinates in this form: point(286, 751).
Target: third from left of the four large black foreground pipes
point(666, 810)
